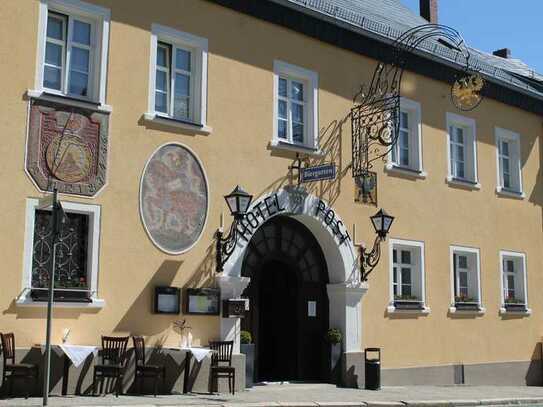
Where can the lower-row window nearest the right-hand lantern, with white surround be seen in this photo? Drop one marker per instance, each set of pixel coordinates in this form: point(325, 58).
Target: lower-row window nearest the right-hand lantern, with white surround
point(407, 275)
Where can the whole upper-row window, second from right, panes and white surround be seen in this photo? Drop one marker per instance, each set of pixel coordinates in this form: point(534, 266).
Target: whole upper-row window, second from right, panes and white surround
point(462, 150)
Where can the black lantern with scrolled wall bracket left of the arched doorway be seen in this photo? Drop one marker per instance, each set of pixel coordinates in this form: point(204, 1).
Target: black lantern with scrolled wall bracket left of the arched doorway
point(238, 202)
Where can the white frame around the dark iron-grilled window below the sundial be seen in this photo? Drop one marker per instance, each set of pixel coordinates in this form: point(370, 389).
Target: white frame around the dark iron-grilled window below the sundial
point(93, 211)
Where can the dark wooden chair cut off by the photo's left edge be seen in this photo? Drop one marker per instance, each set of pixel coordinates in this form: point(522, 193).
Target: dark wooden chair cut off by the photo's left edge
point(28, 372)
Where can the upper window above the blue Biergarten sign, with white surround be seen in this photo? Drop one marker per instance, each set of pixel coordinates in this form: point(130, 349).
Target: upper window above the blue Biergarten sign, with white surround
point(295, 106)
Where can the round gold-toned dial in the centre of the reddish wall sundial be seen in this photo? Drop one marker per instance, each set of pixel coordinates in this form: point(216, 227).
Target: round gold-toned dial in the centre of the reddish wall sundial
point(68, 159)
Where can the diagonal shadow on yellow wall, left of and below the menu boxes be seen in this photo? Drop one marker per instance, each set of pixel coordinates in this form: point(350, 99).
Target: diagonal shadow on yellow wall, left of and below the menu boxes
point(133, 321)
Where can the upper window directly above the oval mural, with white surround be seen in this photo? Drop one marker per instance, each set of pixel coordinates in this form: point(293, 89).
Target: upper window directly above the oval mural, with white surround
point(178, 76)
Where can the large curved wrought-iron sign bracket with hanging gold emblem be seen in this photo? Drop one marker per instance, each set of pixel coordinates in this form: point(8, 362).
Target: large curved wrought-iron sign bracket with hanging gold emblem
point(375, 116)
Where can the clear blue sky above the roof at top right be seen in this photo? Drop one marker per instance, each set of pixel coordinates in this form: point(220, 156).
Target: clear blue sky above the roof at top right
point(489, 25)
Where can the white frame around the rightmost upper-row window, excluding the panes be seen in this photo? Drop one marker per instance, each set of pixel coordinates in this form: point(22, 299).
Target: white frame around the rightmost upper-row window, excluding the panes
point(515, 163)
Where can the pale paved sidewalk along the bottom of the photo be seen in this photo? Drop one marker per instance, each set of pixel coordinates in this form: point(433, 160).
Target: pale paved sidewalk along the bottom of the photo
point(300, 395)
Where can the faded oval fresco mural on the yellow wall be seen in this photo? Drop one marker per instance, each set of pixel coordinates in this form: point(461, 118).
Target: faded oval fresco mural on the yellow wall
point(173, 198)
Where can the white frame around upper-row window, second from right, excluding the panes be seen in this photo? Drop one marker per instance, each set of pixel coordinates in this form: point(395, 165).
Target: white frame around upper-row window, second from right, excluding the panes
point(471, 179)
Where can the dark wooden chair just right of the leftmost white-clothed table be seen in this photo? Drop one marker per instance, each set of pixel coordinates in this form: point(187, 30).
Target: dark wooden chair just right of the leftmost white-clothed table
point(113, 361)
